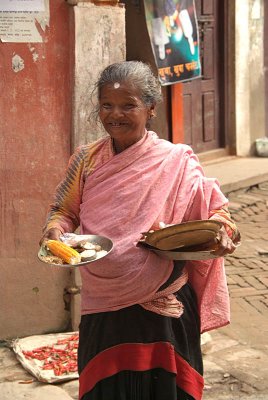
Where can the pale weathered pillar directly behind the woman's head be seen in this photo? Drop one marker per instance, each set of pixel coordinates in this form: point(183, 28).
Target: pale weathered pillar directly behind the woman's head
point(105, 26)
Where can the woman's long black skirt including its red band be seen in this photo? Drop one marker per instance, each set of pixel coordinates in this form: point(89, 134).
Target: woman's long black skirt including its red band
point(135, 354)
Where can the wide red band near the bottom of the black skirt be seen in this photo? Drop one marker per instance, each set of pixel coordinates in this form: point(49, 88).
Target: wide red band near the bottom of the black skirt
point(141, 357)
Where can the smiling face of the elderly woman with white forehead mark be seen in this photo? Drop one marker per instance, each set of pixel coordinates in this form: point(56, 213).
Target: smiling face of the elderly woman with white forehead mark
point(123, 114)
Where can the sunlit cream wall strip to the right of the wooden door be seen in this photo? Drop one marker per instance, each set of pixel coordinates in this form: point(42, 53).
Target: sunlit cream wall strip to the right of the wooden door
point(250, 95)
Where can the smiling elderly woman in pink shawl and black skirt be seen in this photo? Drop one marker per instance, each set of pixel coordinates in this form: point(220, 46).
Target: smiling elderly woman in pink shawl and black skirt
point(141, 314)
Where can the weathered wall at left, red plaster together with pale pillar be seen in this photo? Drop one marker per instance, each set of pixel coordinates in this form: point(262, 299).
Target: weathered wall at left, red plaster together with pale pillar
point(44, 113)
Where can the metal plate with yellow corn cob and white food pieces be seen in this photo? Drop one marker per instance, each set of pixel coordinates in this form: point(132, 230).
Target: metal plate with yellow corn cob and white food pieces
point(57, 253)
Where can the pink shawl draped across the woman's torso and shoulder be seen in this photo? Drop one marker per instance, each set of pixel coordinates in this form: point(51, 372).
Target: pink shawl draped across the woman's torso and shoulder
point(151, 181)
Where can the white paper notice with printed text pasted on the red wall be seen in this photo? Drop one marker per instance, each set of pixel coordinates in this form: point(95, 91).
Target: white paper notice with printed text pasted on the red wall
point(20, 20)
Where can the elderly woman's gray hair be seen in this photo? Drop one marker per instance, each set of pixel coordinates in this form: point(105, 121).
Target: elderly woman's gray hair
point(137, 73)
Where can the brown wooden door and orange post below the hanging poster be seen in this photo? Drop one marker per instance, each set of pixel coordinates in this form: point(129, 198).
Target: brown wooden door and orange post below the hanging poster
point(199, 119)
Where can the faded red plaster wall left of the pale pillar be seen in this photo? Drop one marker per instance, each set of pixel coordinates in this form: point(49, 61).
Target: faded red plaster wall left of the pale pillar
point(35, 133)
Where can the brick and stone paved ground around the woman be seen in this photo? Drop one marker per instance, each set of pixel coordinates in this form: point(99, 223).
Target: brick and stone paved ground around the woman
point(236, 356)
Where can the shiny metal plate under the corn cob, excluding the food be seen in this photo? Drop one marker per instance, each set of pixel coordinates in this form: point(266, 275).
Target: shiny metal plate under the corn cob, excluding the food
point(105, 243)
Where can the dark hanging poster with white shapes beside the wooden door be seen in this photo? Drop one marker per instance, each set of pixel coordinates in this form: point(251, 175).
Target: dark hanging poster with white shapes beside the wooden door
point(173, 31)
